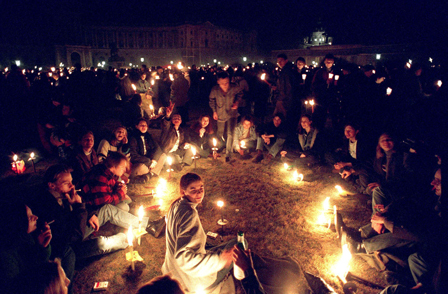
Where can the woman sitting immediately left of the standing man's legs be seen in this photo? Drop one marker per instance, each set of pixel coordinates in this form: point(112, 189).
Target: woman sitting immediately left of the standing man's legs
point(200, 135)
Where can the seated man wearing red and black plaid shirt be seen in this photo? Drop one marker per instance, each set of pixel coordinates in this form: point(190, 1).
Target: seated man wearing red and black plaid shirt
point(101, 185)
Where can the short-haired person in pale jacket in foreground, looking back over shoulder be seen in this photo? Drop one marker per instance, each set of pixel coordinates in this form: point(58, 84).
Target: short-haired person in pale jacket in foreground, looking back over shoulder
point(187, 258)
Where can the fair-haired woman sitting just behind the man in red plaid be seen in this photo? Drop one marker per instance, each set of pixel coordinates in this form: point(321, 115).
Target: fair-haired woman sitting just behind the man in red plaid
point(118, 142)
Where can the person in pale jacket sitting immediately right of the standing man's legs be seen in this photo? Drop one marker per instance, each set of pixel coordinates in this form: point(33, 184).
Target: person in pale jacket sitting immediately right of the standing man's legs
point(244, 136)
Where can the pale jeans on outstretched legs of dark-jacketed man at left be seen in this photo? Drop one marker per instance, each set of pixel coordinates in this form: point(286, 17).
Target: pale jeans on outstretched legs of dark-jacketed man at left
point(103, 245)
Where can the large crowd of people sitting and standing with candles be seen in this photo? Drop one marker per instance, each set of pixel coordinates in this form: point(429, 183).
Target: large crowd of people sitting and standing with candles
point(369, 124)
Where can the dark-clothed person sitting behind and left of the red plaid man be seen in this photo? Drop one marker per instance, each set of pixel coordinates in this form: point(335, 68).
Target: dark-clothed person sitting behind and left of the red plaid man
point(85, 156)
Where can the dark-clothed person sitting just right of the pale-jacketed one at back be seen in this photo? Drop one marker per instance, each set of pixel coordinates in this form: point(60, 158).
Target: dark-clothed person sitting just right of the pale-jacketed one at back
point(272, 137)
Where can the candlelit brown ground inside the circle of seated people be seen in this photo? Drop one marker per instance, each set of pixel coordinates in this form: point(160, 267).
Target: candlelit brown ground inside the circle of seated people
point(278, 215)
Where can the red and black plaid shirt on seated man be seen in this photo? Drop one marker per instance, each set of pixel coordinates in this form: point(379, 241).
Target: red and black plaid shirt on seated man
point(100, 186)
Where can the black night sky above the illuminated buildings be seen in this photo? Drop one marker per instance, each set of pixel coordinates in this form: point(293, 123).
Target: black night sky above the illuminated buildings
point(280, 24)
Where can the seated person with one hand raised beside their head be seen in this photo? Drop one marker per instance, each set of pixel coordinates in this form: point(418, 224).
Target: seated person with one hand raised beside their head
point(174, 140)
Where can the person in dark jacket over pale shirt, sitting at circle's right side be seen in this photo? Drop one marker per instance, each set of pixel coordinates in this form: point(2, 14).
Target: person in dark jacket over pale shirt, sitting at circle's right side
point(354, 161)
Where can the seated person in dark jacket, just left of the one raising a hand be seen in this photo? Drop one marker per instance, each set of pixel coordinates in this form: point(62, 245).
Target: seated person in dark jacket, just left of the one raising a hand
point(146, 156)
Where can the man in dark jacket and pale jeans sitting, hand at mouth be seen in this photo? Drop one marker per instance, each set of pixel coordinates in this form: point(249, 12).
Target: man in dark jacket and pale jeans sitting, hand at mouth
point(74, 222)
